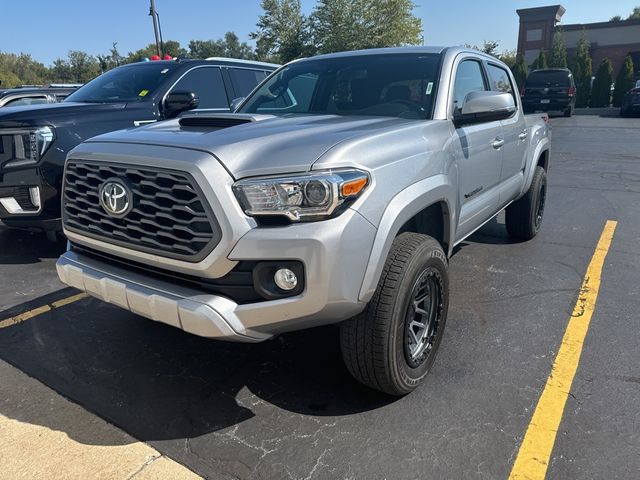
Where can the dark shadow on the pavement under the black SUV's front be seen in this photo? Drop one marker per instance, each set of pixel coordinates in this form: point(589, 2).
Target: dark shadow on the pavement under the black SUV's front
point(22, 247)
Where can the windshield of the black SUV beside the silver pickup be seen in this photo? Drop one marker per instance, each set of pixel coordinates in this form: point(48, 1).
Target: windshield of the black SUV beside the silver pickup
point(123, 84)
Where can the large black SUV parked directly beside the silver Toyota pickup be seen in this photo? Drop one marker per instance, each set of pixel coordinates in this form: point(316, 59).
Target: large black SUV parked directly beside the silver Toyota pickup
point(35, 140)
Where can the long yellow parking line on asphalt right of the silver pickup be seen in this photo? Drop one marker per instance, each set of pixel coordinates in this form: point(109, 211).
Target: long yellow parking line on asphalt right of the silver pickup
point(533, 457)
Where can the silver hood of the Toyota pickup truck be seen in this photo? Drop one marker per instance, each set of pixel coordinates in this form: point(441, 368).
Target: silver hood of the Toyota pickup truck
point(266, 144)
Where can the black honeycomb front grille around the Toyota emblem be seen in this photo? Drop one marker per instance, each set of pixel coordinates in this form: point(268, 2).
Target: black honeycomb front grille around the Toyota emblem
point(169, 216)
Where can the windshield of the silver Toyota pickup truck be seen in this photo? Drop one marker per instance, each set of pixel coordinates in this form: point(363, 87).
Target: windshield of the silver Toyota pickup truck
point(388, 85)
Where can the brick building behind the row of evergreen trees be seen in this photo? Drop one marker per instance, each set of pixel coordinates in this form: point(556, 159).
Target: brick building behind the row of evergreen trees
point(613, 40)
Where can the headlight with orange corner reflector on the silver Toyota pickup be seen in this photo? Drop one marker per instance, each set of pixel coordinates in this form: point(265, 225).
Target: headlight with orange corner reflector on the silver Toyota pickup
point(308, 197)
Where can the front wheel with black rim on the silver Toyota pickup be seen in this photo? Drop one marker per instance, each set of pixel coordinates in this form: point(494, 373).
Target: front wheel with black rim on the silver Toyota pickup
point(393, 343)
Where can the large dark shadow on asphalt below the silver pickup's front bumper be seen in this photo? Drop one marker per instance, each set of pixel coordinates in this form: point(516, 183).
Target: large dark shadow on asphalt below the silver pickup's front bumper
point(159, 383)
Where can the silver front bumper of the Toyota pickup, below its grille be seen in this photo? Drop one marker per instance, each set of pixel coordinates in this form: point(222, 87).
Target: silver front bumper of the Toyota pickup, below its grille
point(334, 253)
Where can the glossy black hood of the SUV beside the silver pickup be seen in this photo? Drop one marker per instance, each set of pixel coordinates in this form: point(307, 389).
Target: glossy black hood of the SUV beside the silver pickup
point(51, 112)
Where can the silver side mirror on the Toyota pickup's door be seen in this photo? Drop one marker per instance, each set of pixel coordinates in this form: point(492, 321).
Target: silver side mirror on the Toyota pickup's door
point(485, 106)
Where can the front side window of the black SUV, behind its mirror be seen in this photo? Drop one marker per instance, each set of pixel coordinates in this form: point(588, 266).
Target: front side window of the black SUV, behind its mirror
point(206, 82)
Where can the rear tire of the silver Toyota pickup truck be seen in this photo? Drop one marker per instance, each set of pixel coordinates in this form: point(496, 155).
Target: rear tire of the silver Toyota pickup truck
point(524, 217)
